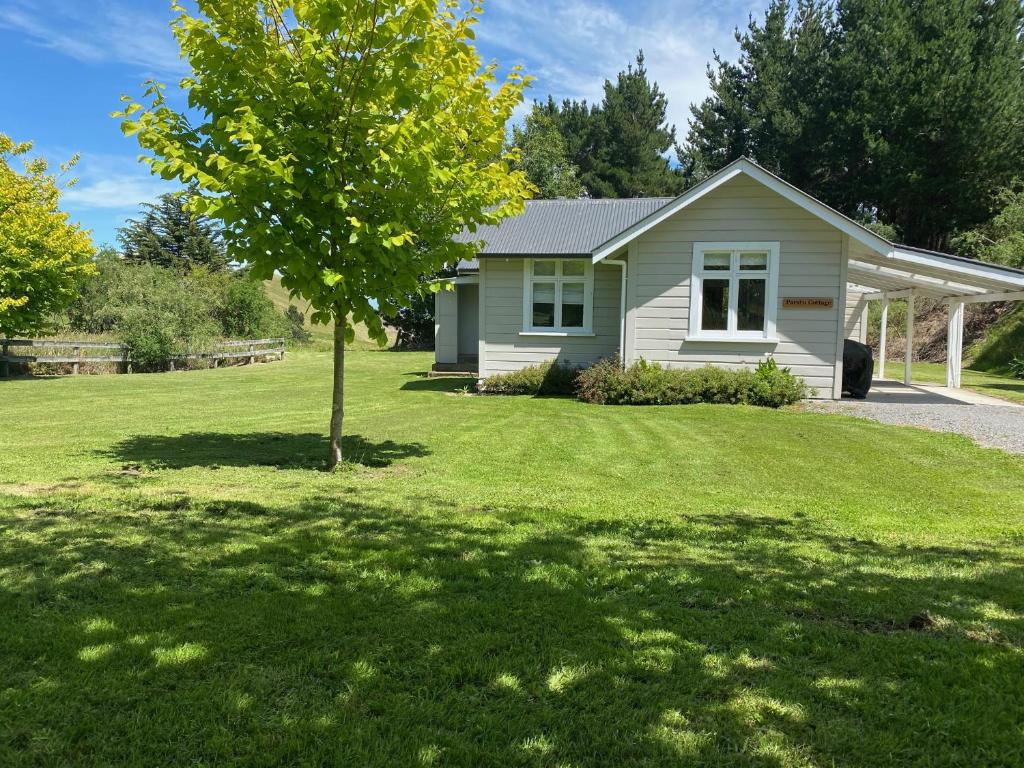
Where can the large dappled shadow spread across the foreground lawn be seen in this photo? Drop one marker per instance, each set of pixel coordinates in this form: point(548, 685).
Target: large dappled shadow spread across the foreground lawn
point(338, 632)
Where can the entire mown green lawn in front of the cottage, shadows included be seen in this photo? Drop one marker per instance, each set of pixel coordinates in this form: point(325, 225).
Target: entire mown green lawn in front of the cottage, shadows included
point(507, 582)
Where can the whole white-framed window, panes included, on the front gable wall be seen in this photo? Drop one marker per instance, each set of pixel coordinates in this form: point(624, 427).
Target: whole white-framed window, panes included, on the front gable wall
point(735, 290)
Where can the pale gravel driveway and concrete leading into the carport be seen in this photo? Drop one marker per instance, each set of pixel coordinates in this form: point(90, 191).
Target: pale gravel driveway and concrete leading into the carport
point(989, 421)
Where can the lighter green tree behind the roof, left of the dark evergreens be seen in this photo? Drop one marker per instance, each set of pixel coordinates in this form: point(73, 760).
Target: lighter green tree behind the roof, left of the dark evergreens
point(543, 157)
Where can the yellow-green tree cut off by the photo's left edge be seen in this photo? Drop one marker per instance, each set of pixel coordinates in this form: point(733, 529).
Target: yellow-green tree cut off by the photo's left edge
point(44, 259)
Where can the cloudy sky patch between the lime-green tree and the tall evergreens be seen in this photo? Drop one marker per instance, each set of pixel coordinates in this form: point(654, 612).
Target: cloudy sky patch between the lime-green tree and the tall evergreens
point(572, 48)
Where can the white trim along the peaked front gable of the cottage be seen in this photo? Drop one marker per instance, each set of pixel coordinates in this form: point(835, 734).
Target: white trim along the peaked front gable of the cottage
point(774, 183)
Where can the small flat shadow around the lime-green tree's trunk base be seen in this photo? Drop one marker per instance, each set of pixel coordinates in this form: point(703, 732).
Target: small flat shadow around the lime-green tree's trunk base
point(255, 449)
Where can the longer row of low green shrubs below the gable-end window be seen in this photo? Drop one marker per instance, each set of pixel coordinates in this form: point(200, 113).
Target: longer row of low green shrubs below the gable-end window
point(651, 385)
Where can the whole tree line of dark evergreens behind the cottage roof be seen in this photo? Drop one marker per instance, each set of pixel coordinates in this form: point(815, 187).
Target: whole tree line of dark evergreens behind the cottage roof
point(908, 116)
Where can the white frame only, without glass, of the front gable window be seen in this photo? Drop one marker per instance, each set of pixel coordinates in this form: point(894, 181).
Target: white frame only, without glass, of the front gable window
point(734, 275)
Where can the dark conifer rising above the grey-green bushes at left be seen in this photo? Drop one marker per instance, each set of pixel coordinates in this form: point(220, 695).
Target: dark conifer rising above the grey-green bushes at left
point(170, 235)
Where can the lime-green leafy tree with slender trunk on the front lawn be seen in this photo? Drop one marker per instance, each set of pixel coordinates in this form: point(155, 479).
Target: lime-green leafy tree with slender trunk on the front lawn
point(343, 145)
